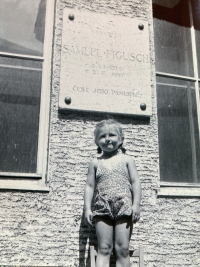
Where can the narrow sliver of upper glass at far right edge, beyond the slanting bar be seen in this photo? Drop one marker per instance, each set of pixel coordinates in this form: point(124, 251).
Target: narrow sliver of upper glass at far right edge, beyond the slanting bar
point(196, 16)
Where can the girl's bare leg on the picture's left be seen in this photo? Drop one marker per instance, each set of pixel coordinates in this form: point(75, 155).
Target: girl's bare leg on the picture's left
point(104, 231)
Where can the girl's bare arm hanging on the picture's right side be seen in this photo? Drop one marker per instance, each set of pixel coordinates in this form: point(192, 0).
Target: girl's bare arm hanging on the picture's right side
point(136, 188)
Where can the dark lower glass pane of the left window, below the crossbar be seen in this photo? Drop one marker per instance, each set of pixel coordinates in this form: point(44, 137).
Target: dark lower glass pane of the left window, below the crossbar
point(20, 83)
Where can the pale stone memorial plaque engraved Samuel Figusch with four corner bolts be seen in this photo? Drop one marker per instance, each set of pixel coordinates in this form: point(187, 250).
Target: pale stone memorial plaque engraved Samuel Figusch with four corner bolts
point(105, 64)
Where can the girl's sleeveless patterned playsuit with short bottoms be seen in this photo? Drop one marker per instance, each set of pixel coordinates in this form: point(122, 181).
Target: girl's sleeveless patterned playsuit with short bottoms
point(113, 189)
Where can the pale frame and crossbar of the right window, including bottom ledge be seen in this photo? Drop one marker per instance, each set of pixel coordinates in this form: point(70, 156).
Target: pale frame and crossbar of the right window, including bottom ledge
point(173, 189)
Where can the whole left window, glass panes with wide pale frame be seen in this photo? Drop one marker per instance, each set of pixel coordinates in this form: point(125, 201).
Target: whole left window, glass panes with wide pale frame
point(25, 53)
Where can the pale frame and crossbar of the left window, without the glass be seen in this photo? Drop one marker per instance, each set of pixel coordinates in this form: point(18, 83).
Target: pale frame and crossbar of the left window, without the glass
point(37, 181)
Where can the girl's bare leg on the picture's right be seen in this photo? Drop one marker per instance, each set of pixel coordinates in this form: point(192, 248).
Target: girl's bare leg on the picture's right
point(123, 229)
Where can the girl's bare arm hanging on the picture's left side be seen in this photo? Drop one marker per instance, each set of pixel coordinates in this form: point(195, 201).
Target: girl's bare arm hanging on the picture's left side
point(89, 190)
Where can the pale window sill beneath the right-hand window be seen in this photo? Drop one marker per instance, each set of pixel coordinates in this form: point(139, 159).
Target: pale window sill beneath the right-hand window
point(178, 192)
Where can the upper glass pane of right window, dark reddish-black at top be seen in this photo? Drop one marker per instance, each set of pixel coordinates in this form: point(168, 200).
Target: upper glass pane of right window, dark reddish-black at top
point(173, 39)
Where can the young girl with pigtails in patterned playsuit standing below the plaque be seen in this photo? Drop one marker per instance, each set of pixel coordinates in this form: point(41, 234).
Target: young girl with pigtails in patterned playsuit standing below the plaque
point(115, 180)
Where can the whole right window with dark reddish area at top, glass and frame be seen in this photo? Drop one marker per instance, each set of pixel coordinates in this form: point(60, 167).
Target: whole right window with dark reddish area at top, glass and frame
point(177, 55)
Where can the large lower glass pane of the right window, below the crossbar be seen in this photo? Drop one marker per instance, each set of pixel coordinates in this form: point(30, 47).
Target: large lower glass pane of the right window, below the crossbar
point(178, 131)
